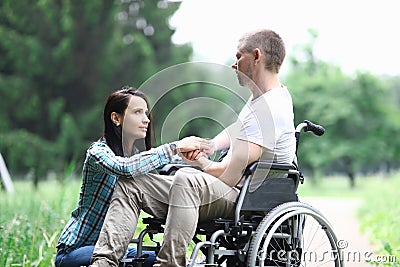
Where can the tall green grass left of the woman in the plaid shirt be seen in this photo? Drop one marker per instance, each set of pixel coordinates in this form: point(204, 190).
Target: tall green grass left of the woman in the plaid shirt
point(30, 222)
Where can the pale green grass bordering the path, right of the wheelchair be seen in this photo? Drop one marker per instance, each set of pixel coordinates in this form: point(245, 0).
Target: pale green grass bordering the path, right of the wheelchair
point(379, 214)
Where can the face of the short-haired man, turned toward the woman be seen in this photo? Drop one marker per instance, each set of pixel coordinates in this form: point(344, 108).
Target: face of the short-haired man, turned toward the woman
point(243, 66)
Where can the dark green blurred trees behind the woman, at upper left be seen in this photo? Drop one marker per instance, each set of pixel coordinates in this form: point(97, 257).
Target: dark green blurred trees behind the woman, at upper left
point(59, 61)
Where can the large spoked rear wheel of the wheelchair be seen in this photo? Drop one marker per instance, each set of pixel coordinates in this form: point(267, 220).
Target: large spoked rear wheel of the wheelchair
point(294, 234)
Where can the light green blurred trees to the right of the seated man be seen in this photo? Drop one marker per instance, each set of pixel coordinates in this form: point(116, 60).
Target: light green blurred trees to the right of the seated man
point(357, 112)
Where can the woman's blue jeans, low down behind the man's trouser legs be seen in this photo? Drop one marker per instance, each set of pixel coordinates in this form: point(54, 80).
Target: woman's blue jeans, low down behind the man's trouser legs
point(81, 257)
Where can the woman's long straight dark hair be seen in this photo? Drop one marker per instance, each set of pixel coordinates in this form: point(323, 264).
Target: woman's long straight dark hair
point(118, 102)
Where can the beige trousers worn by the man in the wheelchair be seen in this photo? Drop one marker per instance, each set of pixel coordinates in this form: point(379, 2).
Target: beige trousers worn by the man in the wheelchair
point(188, 197)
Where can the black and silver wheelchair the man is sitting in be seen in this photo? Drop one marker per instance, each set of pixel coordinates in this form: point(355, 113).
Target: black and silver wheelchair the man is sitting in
point(271, 226)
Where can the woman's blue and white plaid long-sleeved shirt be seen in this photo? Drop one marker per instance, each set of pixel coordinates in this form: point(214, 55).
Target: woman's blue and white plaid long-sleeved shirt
point(101, 170)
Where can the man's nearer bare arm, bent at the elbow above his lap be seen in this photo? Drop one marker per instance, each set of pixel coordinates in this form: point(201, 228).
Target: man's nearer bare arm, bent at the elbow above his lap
point(230, 169)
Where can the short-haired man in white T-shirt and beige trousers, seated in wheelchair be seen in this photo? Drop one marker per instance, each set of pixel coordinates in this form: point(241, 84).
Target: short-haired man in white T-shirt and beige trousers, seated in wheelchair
point(264, 129)
